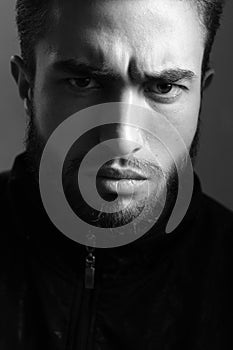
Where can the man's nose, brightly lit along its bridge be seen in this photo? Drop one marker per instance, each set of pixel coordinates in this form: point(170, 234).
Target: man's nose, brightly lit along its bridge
point(127, 136)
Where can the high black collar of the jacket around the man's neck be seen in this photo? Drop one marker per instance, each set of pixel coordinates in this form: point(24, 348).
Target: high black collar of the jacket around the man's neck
point(34, 226)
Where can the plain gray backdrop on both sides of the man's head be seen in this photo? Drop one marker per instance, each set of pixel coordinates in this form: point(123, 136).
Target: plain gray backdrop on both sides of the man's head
point(215, 164)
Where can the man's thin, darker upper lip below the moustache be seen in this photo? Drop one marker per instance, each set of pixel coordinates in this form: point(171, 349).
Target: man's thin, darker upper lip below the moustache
point(113, 173)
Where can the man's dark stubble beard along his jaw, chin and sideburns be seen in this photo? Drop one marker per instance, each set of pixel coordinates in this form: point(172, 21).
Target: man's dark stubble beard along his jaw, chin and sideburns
point(156, 206)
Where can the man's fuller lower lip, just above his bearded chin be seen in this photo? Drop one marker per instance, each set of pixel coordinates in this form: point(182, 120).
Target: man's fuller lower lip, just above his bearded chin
point(120, 186)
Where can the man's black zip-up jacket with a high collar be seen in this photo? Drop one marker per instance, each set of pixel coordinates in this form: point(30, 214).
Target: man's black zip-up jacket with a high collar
point(163, 292)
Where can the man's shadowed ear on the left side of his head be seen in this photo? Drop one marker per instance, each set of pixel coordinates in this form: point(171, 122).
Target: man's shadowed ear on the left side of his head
point(21, 77)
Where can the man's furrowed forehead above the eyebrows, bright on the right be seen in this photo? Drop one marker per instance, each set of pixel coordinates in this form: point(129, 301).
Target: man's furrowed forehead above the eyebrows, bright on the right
point(156, 34)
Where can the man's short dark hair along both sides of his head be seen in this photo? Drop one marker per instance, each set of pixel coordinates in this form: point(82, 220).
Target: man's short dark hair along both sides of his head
point(33, 20)
